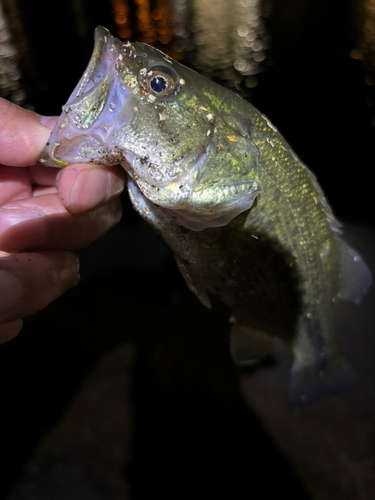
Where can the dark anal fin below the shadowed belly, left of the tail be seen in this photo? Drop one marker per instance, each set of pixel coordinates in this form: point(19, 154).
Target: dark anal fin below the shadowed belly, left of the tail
point(247, 344)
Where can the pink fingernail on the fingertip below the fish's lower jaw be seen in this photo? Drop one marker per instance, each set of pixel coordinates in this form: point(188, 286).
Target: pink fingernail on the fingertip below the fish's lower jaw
point(91, 188)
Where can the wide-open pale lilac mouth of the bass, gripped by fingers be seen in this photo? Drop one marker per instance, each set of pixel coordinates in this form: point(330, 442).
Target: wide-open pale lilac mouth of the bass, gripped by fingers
point(101, 103)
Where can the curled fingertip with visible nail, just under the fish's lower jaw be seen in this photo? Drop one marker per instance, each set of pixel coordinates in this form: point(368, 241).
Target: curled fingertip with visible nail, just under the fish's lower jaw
point(83, 187)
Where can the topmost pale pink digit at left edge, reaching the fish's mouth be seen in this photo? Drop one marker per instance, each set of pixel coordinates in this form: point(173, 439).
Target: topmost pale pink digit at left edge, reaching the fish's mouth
point(22, 135)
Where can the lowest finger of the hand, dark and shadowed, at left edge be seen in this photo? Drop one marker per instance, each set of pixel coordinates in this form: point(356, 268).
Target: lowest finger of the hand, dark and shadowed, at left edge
point(30, 281)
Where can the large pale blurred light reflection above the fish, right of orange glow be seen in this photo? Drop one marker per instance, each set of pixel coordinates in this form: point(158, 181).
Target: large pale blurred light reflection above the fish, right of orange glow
point(227, 38)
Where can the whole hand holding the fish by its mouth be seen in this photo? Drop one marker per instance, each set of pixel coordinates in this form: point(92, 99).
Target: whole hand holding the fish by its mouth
point(45, 215)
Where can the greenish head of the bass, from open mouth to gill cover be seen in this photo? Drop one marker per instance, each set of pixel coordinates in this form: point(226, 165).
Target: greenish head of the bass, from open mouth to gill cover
point(170, 128)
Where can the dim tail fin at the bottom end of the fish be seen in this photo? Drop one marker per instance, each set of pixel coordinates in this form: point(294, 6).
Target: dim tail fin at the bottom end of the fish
point(330, 377)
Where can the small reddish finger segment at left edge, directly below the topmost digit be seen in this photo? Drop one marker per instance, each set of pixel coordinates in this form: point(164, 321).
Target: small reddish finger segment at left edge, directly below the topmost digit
point(15, 183)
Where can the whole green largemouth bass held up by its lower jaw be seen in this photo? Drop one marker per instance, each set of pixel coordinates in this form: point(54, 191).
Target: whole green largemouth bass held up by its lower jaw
point(246, 220)
